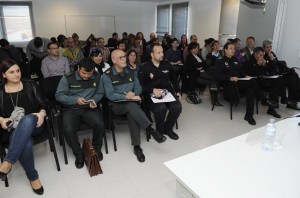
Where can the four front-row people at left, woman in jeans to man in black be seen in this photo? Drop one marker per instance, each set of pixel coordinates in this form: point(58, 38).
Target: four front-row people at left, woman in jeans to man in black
point(117, 83)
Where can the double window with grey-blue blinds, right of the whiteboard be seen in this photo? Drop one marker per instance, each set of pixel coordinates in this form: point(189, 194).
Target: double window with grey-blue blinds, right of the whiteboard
point(172, 18)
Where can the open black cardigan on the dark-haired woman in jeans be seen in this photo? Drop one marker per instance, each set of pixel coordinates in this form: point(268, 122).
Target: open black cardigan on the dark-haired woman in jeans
point(33, 94)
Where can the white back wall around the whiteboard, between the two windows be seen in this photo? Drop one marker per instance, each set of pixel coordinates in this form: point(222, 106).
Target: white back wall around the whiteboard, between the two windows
point(130, 16)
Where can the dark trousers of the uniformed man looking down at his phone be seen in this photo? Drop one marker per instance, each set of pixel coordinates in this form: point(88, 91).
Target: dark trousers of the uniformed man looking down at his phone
point(71, 121)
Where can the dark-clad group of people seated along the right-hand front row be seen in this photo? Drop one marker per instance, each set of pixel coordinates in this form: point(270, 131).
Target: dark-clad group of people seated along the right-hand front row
point(227, 71)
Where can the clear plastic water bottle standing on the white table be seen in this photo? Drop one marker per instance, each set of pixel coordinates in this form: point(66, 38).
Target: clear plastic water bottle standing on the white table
point(270, 132)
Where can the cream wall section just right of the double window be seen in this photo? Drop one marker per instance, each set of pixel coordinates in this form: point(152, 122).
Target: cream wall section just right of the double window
point(204, 18)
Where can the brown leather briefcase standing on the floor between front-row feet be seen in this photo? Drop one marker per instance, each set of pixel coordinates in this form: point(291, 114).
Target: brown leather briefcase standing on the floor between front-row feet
point(91, 158)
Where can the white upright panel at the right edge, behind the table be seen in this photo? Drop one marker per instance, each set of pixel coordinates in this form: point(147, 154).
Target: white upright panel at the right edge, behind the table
point(290, 43)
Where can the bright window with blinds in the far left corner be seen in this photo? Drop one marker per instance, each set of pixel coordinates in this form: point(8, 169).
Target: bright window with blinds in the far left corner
point(16, 21)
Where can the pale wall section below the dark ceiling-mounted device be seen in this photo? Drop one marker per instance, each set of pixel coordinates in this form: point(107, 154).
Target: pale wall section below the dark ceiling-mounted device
point(256, 22)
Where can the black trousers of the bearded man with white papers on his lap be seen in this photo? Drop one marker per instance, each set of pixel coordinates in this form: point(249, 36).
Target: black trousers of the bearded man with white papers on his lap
point(160, 111)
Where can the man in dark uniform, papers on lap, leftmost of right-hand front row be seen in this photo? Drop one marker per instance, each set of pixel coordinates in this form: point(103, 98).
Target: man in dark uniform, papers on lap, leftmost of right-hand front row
point(228, 72)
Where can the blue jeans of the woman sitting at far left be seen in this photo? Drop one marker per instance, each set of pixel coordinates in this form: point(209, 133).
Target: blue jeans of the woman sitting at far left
point(20, 146)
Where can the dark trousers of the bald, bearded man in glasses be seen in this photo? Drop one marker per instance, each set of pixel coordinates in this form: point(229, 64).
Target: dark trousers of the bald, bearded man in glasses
point(136, 119)
